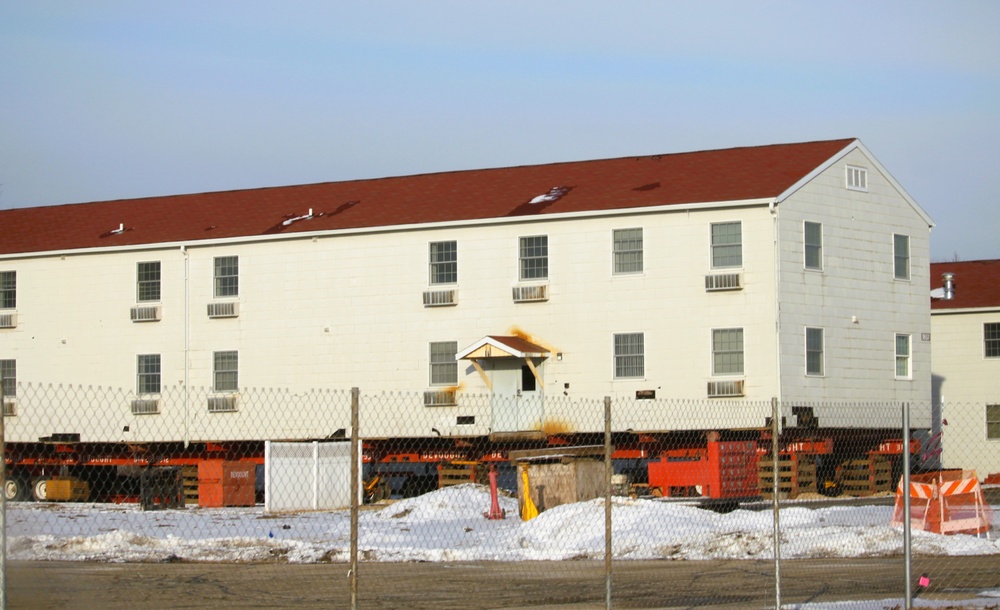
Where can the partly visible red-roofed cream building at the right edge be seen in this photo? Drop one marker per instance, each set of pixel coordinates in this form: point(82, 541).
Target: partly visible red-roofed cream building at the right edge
point(966, 366)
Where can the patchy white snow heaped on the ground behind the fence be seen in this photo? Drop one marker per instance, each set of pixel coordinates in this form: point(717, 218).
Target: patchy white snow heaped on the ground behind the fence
point(449, 525)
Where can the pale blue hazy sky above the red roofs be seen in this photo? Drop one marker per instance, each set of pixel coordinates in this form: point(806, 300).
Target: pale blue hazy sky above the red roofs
point(111, 100)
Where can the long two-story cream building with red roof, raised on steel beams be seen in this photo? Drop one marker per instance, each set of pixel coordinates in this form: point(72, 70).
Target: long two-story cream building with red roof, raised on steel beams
point(793, 271)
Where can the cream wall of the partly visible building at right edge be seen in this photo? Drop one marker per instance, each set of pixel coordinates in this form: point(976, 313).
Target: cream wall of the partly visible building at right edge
point(964, 383)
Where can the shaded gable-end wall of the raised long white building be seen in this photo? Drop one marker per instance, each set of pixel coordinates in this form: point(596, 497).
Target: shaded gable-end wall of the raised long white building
point(856, 283)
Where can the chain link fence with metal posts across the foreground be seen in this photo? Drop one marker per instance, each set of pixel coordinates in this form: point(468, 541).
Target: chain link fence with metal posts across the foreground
point(607, 499)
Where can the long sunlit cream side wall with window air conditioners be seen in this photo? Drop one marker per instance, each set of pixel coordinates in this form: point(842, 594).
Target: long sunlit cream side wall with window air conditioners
point(342, 311)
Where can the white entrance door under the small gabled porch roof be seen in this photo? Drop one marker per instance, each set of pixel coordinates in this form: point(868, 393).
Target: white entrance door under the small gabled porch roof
point(517, 397)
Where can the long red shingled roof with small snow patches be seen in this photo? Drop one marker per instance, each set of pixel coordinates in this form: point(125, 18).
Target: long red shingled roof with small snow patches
point(631, 182)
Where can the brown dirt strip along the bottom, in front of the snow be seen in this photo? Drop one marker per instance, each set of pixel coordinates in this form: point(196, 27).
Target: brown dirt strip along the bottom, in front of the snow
point(463, 586)
